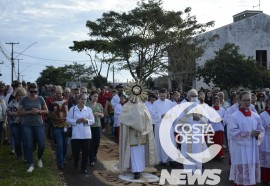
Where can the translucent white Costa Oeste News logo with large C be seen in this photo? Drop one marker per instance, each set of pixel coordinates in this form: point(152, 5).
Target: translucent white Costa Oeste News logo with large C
point(189, 132)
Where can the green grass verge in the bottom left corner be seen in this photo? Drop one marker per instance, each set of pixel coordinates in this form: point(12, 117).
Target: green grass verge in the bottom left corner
point(13, 171)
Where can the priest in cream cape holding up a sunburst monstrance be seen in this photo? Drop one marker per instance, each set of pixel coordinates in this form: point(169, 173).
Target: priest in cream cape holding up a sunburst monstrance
point(136, 148)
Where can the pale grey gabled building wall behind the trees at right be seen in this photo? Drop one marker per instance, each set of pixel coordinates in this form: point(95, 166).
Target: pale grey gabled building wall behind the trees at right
point(250, 31)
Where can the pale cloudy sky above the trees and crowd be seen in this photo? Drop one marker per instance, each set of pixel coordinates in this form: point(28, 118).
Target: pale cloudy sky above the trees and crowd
point(55, 24)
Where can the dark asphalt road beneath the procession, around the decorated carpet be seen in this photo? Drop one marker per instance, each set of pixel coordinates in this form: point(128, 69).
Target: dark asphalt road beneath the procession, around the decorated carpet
point(76, 178)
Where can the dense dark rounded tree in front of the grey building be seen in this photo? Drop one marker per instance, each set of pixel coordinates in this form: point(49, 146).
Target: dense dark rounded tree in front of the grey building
point(230, 69)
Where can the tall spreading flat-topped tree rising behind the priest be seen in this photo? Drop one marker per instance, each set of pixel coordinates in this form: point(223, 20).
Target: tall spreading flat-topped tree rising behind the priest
point(139, 40)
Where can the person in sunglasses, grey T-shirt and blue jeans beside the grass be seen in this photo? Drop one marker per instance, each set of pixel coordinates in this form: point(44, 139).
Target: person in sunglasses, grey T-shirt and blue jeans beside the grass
point(31, 108)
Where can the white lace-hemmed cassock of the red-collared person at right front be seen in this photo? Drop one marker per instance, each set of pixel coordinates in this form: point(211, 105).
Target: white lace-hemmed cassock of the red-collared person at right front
point(245, 163)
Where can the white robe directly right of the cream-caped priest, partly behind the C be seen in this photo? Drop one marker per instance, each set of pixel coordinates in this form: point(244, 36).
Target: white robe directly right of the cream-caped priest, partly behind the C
point(162, 107)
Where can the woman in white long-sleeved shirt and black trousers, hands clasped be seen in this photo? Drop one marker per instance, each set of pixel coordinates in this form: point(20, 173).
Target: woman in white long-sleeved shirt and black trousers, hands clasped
point(80, 117)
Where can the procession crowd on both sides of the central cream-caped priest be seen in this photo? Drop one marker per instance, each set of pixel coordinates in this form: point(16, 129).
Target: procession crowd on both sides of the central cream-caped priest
point(27, 110)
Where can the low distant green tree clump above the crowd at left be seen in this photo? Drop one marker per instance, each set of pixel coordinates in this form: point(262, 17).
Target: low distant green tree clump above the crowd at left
point(61, 75)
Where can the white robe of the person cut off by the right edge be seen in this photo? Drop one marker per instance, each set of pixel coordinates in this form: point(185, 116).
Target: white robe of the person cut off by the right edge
point(265, 145)
